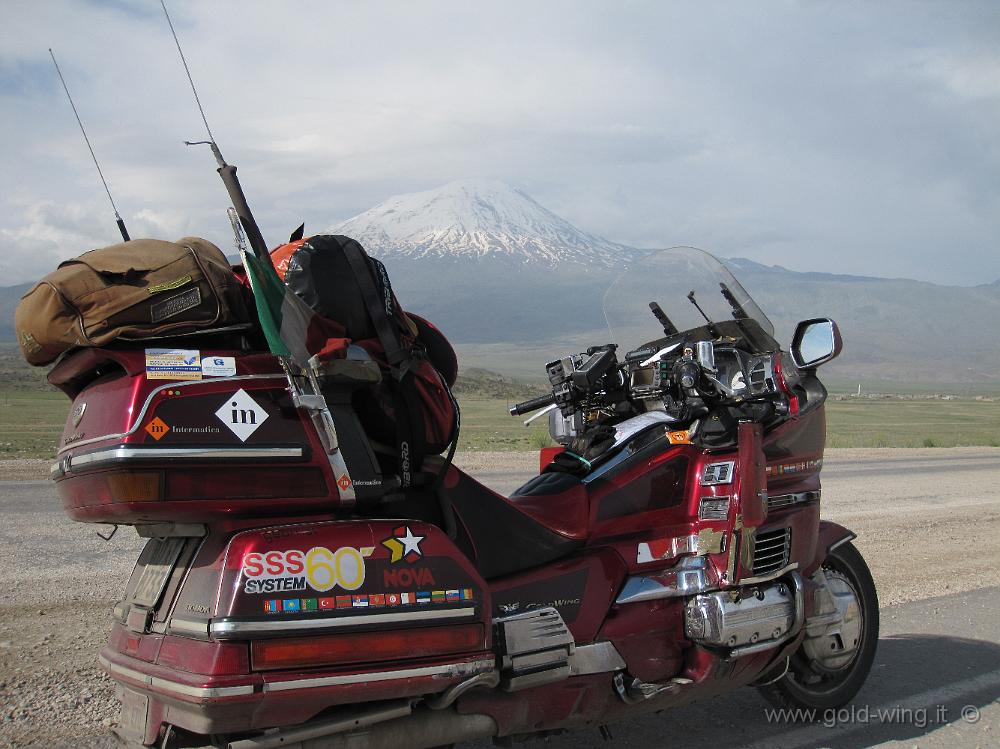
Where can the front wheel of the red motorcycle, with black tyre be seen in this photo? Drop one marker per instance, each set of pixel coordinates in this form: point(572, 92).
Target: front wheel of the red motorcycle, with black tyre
point(833, 661)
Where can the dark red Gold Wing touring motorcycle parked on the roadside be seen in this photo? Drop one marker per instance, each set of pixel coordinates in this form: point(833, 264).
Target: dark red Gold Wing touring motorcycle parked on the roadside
point(670, 549)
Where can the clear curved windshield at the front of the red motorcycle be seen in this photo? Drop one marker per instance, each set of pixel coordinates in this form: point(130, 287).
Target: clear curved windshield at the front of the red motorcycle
point(681, 280)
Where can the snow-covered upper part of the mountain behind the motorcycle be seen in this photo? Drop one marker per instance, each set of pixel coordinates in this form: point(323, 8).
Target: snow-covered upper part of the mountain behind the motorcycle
point(477, 219)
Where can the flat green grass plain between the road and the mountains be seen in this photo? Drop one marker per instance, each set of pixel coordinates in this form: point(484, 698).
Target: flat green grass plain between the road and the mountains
point(31, 422)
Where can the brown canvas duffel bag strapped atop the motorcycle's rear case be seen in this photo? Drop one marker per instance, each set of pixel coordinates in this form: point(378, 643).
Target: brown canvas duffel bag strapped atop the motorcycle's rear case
point(135, 290)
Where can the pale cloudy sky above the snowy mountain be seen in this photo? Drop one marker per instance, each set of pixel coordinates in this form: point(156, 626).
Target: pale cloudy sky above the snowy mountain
point(861, 138)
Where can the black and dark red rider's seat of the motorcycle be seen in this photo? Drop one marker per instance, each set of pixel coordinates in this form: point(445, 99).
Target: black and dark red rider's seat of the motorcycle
point(502, 536)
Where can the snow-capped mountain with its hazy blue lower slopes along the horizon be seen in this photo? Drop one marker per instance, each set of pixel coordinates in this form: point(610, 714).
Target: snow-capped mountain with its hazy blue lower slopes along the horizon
point(489, 265)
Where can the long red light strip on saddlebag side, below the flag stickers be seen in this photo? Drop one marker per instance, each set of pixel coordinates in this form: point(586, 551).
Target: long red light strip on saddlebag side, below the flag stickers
point(268, 655)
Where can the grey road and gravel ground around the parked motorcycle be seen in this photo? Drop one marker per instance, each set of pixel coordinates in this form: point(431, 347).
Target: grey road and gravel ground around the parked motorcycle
point(928, 522)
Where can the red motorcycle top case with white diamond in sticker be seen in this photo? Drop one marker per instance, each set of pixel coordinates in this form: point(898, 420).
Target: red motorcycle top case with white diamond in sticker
point(138, 449)
